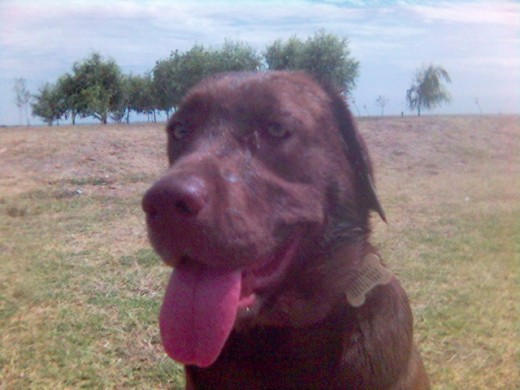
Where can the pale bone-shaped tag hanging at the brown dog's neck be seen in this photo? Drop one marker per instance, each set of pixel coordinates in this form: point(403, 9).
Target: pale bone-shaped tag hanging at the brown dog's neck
point(370, 274)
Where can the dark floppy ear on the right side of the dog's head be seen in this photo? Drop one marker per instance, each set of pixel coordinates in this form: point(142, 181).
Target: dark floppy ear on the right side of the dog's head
point(356, 151)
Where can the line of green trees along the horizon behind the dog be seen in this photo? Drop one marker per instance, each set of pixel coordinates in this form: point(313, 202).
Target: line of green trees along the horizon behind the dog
point(97, 88)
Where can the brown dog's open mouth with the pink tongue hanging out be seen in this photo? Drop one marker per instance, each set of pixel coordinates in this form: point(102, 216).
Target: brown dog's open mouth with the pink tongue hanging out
point(201, 303)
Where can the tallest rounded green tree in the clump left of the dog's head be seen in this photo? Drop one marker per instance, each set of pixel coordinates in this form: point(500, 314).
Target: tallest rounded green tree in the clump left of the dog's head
point(100, 87)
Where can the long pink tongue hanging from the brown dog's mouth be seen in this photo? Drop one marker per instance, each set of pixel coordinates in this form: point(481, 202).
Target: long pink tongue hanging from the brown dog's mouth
point(198, 313)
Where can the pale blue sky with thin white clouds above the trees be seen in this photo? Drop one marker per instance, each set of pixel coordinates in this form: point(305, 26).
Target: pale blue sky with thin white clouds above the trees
point(477, 42)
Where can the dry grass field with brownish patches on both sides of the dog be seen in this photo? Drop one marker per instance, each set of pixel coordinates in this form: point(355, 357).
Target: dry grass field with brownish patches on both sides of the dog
point(80, 288)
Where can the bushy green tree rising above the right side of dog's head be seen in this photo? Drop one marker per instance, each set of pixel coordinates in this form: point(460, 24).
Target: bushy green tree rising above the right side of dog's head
point(323, 55)
